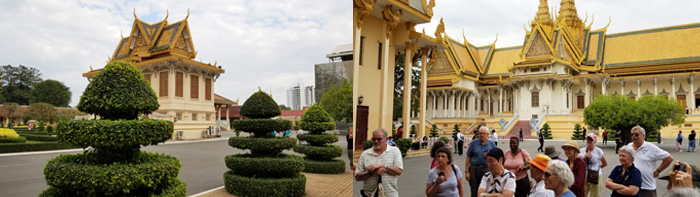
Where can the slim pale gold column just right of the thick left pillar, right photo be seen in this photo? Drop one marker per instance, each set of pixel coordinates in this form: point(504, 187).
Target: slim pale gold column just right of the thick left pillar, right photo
point(407, 76)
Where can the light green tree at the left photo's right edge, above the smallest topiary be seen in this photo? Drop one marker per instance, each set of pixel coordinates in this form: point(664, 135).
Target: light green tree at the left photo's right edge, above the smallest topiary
point(338, 101)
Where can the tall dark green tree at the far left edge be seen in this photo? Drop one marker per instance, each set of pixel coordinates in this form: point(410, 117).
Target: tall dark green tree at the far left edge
point(18, 82)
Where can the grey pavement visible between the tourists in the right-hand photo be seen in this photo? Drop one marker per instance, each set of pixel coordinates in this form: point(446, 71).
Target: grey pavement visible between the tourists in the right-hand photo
point(413, 180)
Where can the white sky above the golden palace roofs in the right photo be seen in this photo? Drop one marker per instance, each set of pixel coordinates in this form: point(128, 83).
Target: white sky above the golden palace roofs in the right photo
point(481, 20)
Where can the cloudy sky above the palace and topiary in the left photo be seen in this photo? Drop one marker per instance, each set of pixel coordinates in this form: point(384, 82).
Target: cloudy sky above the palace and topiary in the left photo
point(270, 44)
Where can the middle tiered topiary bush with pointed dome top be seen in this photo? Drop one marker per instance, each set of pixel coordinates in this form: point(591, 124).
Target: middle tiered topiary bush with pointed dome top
point(265, 171)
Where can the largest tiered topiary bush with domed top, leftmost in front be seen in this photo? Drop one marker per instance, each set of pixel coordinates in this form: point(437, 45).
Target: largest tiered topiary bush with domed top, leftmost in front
point(115, 166)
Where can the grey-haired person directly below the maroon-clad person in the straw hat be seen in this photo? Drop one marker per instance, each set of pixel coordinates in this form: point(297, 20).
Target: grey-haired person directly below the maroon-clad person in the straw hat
point(558, 178)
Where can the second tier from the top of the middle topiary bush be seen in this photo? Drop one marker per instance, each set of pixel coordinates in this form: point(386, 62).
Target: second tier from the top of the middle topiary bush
point(262, 127)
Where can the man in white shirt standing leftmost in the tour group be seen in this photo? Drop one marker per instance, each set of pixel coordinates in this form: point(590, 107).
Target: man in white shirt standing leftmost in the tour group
point(380, 163)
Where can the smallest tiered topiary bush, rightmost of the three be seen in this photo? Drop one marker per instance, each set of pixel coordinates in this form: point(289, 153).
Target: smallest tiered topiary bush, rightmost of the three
point(320, 154)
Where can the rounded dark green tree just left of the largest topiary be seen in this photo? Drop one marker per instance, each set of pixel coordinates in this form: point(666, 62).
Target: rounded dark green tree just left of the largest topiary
point(52, 92)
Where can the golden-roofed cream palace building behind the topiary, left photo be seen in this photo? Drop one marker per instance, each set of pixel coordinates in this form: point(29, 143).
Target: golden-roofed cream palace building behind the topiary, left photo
point(165, 53)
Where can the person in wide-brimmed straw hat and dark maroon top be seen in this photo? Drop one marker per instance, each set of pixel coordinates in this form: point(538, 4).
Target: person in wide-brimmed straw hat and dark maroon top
point(577, 166)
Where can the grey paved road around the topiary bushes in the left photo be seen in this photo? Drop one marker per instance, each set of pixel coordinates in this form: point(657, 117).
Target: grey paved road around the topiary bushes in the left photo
point(202, 166)
